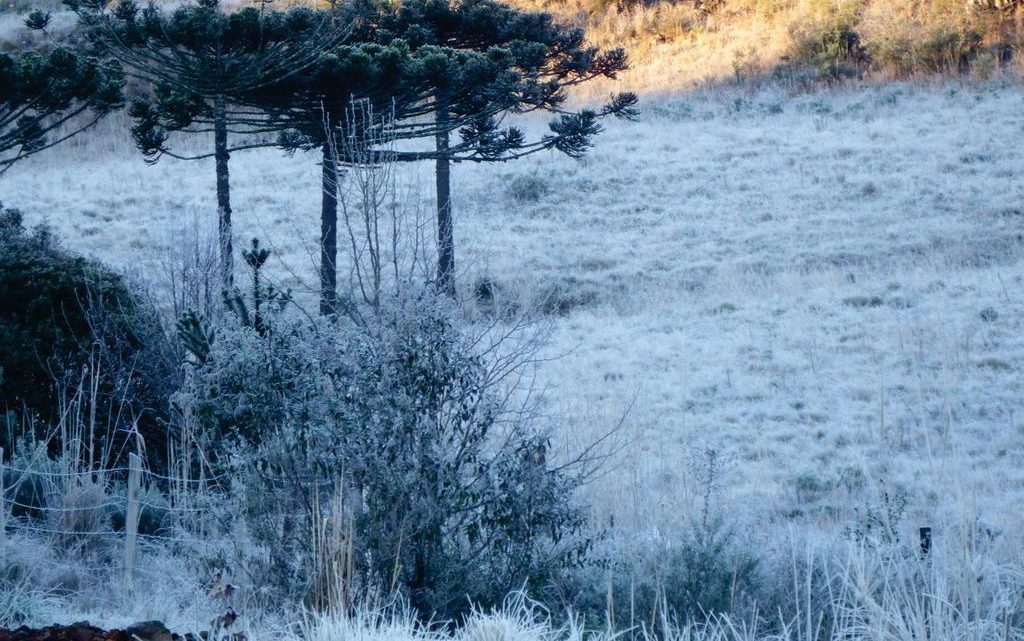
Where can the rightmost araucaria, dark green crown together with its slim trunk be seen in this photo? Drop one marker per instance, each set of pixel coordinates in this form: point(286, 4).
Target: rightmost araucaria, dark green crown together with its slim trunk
point(536, 61)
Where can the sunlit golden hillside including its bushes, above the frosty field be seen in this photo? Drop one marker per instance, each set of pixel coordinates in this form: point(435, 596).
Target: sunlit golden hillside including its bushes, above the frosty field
point(674, 46)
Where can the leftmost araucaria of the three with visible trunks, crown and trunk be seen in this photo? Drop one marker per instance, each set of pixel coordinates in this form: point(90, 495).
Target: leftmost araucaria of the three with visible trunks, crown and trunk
point(200, 62)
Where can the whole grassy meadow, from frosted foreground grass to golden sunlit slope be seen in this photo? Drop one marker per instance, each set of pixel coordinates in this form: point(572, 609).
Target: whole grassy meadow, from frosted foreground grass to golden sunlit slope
point(787, 309)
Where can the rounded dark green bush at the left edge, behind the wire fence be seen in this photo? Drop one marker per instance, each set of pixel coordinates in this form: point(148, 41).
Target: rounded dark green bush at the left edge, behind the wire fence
point(67, 324)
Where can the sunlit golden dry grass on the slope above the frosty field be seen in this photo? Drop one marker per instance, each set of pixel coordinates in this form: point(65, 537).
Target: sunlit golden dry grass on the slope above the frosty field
point(676, 46)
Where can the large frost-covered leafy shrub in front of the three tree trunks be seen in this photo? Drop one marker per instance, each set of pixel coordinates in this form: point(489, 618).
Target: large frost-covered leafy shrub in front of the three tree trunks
point(443, 492)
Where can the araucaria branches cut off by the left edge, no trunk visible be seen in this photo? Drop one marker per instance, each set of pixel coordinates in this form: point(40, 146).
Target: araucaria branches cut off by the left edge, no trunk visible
point(48, 98)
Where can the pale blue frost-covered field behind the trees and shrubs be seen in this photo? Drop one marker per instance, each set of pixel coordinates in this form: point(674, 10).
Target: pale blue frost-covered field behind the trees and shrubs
point(821, 294)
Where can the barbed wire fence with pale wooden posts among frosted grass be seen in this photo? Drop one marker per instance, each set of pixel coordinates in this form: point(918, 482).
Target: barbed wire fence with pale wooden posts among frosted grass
point(124, 524)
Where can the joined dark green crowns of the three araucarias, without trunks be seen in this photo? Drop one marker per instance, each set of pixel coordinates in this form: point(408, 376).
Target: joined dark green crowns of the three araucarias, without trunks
point(285, 73)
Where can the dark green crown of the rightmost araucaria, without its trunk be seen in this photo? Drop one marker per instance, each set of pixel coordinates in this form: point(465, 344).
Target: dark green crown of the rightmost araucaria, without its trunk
point(542, 60)
